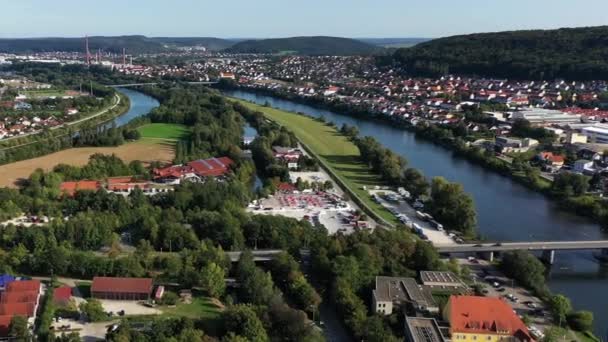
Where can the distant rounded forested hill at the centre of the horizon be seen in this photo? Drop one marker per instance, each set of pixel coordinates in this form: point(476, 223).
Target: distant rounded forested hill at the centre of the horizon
point(306, 46)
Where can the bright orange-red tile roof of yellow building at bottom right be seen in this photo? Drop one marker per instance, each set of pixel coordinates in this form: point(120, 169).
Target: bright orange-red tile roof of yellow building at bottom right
point(487, 315)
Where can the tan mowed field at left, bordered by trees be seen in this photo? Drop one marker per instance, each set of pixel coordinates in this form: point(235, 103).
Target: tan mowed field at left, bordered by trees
point(146, 150)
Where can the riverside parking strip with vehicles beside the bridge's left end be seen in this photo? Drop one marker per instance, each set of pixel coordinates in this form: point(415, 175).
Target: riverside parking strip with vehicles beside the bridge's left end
point(402, 207)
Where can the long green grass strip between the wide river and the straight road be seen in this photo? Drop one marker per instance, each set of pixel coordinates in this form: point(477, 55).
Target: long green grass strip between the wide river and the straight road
point(334, 149)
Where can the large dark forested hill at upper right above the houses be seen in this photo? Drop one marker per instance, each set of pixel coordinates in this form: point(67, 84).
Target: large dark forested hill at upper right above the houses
point(571, 53)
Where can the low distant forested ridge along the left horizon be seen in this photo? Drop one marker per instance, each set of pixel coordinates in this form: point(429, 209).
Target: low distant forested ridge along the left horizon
point(133, 44)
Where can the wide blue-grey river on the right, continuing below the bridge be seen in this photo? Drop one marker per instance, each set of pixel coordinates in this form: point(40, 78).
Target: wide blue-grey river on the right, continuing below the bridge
point(506, 211)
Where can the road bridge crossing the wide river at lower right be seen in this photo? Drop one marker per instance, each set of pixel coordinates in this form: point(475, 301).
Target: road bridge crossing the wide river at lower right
point(547, 248)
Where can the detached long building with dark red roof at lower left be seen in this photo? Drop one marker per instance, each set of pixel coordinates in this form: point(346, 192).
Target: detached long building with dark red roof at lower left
point(121, 288)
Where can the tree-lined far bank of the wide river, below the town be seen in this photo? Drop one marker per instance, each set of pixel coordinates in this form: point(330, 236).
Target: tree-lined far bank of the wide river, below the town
point(584, 206)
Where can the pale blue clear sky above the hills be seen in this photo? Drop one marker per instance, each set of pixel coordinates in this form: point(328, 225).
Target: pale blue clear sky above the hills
point(284, 18)
